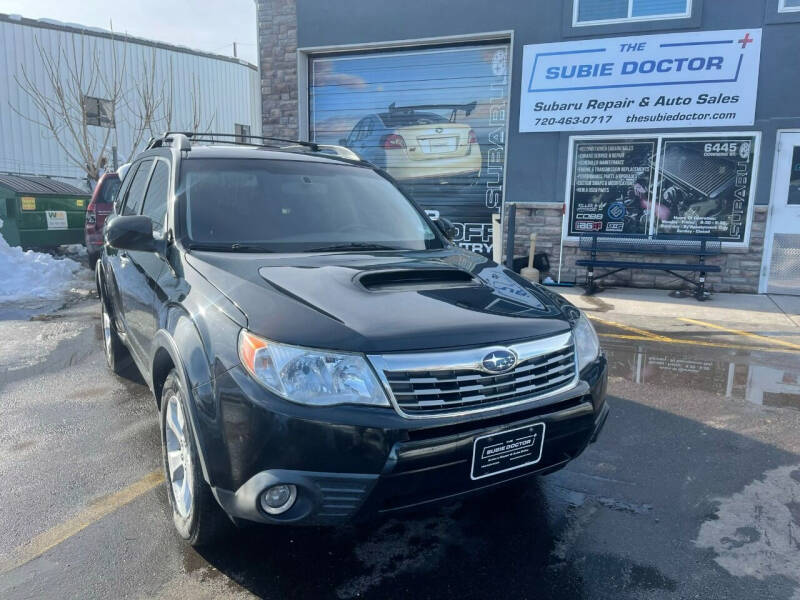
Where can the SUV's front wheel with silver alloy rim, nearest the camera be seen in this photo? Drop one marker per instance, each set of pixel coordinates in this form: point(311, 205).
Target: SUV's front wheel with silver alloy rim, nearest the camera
point(195, 512)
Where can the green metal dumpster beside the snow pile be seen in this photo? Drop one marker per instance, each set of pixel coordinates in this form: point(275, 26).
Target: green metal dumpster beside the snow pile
point(40, 212)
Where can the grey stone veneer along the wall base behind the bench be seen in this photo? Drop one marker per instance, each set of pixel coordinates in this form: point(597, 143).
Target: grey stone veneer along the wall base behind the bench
point(740, 267)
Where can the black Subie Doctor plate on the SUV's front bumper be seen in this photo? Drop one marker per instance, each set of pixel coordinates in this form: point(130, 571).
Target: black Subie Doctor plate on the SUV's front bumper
point(507, 450)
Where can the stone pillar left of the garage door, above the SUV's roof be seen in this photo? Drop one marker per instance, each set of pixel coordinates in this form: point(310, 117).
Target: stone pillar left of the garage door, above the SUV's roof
point(277, 50)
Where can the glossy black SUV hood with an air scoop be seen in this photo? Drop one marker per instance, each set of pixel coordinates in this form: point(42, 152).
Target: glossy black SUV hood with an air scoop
point(382, 301)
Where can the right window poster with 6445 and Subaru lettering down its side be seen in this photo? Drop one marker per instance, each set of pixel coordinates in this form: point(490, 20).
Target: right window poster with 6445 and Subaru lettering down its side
point(704, 187)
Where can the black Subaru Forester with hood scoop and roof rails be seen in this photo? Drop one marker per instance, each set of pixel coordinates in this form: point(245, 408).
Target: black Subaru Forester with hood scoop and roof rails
point(319, 350)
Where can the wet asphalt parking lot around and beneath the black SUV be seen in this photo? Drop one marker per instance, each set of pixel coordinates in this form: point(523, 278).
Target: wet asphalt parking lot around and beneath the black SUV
point(692, 491)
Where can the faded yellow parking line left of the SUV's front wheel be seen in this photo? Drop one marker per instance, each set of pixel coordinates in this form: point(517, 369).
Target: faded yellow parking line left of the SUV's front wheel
point(93, 513)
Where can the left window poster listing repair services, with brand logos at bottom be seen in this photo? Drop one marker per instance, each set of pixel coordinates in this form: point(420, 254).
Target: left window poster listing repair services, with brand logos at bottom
point(611, 186)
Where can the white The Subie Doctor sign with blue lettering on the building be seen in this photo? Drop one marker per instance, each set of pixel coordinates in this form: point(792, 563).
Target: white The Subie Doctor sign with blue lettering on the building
point(697, 79)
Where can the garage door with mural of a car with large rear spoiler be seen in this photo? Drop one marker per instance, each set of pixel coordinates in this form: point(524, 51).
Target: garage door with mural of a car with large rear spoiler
point(434, 118)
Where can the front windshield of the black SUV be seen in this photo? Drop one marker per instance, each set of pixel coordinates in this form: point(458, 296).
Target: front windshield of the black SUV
point(296, 206)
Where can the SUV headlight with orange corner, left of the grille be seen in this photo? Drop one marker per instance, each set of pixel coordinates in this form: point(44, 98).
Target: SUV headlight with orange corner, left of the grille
point(309, 376)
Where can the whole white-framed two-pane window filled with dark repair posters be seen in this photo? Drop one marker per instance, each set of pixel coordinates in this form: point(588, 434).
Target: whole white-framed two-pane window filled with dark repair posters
point(663, 186)
